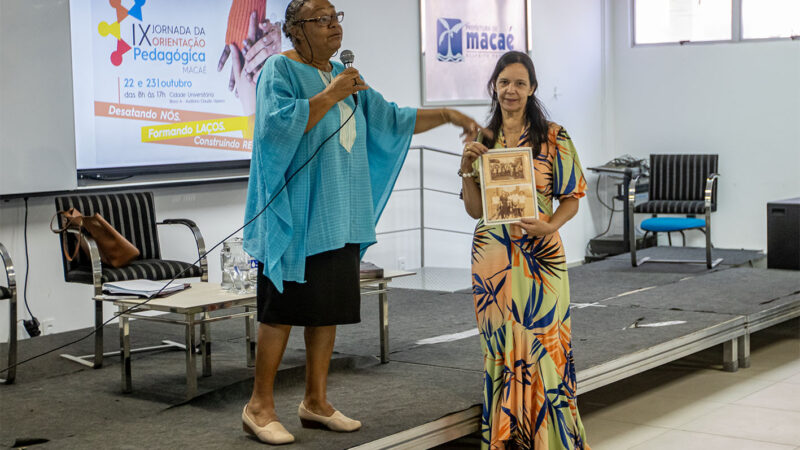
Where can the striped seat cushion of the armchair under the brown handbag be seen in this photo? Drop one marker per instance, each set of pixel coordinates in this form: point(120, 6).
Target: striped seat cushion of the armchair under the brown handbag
point(137, 270)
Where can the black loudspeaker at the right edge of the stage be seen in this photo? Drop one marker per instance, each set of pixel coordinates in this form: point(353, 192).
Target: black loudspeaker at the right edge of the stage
point(783, 234)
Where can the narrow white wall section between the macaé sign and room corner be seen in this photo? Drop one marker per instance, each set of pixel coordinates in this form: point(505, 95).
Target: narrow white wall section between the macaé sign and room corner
point(568, 54)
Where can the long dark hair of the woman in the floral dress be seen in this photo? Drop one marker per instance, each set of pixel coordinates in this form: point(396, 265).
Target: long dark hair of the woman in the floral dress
point(535, 114)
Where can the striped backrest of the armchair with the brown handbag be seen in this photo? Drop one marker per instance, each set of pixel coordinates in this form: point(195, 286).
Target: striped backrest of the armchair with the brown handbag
point(132, 214)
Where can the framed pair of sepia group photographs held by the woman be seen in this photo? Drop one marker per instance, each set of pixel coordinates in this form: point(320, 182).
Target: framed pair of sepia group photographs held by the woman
point(508, 186)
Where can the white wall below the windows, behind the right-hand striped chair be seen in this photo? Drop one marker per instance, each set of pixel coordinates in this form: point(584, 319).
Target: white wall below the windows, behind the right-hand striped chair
point(740, 100)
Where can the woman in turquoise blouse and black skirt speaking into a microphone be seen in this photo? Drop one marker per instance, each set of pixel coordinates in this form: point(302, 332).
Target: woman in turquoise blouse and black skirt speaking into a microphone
point(310, 239)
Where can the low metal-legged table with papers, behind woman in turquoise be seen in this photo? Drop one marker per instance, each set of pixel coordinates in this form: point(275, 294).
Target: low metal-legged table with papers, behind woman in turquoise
point(202, 299)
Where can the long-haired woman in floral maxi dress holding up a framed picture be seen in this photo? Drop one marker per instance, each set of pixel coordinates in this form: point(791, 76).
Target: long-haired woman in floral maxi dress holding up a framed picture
point(519, 276)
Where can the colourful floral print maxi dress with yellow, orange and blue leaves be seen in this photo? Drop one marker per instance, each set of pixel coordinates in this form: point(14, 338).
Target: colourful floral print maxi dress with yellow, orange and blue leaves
point(521, 295)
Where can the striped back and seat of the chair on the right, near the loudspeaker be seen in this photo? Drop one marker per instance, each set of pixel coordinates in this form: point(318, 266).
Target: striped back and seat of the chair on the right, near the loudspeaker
point(681, 178)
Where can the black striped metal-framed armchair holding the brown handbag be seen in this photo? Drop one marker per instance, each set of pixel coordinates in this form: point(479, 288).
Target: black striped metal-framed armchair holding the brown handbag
point(133, 215)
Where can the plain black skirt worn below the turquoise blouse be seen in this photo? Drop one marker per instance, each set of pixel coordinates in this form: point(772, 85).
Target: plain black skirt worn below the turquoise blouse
point(330, 296)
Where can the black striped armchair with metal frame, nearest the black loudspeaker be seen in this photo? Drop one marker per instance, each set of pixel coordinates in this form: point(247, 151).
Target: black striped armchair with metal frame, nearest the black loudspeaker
point(679, 184)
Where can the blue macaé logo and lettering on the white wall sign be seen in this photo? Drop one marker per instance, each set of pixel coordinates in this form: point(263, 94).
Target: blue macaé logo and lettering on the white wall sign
point(456, 39)
